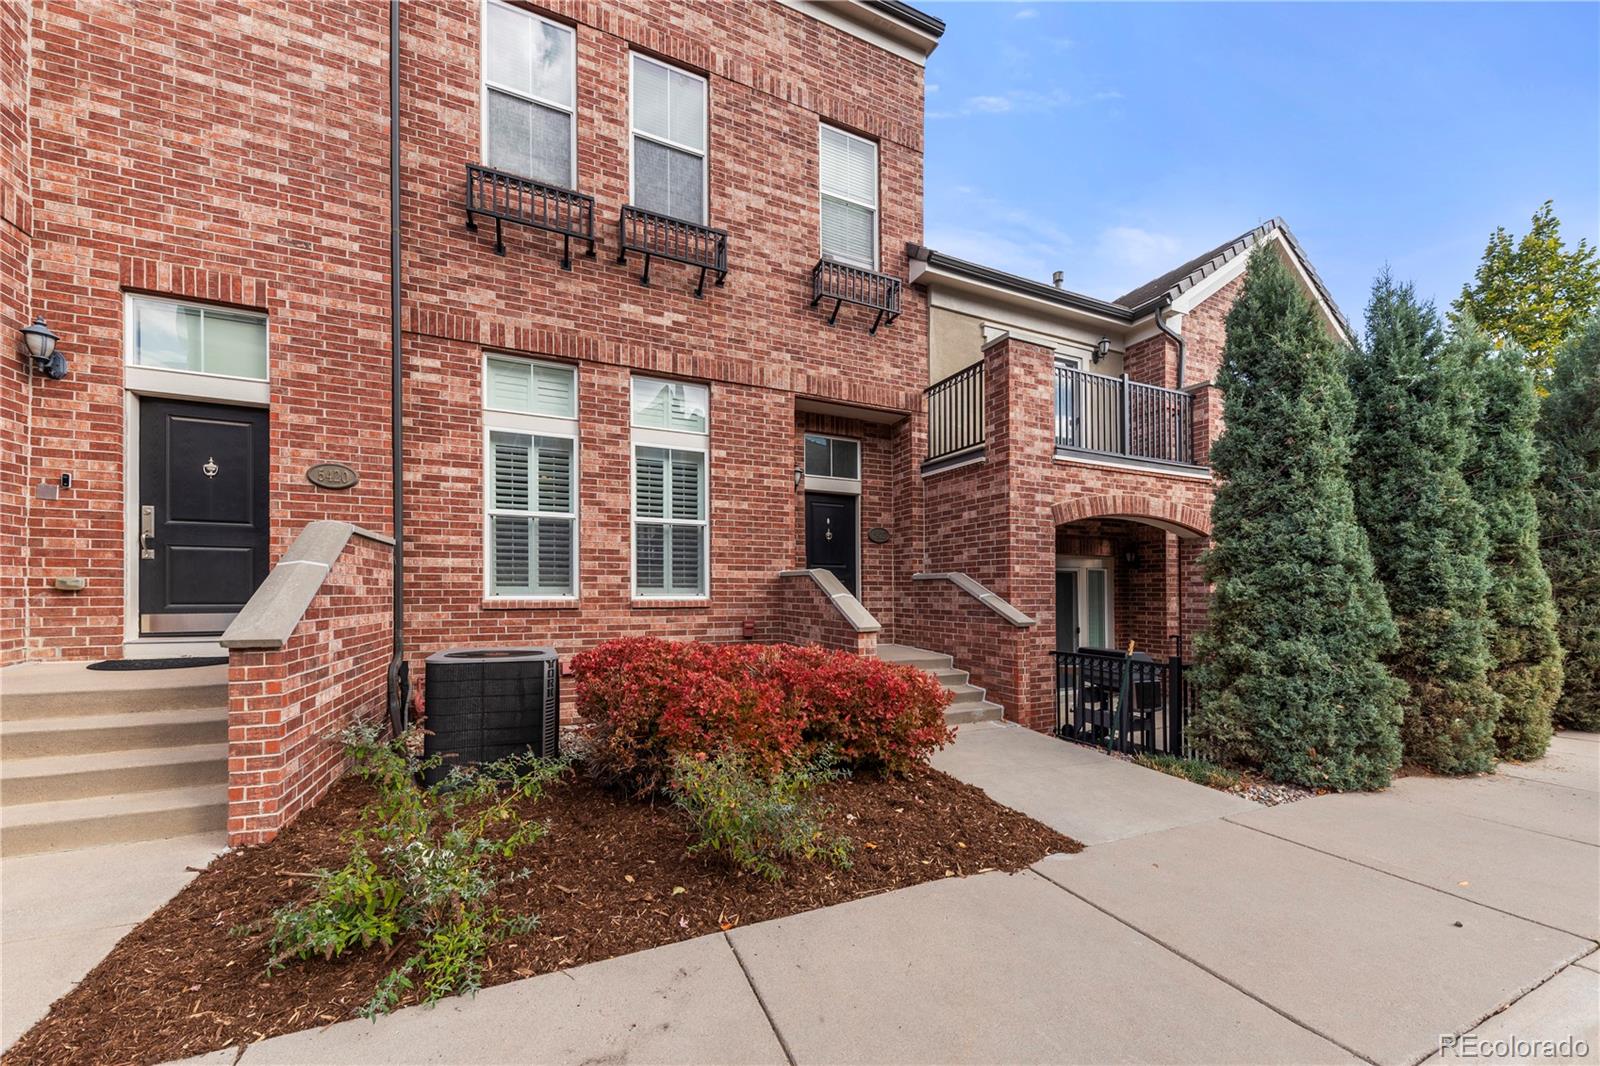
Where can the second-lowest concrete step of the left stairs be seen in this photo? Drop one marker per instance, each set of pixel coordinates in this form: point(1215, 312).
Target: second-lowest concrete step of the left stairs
point(54, 779)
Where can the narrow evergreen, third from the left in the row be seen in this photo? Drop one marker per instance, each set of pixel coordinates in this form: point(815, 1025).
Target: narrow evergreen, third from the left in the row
point(1503, 471)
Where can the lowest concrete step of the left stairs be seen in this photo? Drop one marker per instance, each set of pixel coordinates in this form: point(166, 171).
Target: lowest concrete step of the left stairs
point(118, 819)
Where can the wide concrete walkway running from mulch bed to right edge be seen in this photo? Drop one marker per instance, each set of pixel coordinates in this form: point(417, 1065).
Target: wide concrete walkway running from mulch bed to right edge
point(1201, 929)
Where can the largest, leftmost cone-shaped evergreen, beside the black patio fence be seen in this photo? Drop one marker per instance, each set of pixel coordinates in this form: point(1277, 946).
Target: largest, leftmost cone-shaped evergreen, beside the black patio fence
point(1289, 671)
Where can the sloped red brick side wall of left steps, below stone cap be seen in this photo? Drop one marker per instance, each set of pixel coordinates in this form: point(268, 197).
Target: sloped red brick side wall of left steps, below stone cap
point(286, 708)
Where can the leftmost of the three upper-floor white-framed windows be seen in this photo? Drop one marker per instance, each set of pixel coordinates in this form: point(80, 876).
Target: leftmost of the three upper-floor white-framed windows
point(530, 87)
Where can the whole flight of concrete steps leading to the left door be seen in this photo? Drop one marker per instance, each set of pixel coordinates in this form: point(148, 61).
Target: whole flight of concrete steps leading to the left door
point(110, 758)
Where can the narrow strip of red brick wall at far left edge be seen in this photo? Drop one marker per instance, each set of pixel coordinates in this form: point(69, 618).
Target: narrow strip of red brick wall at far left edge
point(17, 247)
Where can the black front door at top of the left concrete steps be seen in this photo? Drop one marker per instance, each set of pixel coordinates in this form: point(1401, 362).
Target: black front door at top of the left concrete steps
point(202, 515)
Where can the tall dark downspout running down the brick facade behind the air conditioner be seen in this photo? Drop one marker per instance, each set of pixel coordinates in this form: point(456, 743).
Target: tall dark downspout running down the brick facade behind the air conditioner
point(399, 670)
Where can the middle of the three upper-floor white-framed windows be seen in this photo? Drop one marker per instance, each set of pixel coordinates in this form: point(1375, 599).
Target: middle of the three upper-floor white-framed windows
point(668, 121)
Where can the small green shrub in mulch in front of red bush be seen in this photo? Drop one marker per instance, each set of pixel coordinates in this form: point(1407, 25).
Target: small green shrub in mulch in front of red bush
point(754, 817)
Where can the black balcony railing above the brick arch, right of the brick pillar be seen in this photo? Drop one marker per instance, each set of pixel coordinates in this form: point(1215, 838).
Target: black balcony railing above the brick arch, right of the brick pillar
point(1119, 417)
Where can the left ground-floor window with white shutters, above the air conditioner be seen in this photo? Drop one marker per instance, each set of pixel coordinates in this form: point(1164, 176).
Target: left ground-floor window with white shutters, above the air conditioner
point(530, 475)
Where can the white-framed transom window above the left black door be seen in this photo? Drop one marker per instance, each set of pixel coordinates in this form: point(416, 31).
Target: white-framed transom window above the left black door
point(196, 339)
